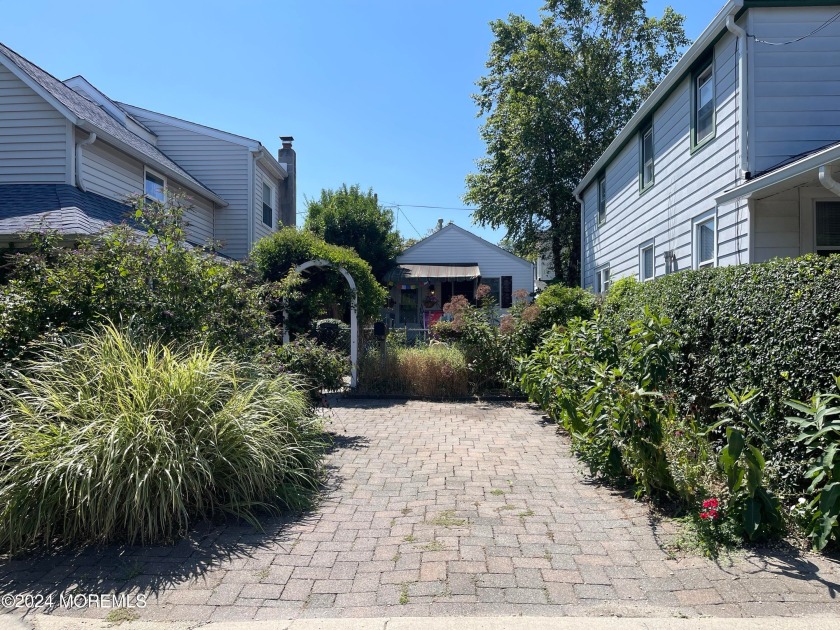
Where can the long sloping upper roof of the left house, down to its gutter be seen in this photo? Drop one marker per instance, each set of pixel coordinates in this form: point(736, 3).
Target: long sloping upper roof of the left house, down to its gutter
point(90, 116)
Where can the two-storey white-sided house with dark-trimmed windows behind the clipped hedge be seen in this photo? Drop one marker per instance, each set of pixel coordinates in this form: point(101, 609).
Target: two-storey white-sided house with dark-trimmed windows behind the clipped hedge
point(733, 157)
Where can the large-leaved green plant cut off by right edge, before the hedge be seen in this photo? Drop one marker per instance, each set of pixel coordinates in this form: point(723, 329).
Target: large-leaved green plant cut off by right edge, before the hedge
point(819, 428)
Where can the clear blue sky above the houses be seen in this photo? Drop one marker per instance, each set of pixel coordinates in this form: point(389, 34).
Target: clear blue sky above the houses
point(375, 92)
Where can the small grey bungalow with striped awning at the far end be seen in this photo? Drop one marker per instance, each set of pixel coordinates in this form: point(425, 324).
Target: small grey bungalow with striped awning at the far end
point(452, 261)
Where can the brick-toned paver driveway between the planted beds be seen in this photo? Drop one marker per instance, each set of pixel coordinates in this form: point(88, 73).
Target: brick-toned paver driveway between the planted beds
point(442, 509)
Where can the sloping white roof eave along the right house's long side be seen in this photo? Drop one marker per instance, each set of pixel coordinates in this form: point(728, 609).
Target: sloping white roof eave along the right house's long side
point(694, 52)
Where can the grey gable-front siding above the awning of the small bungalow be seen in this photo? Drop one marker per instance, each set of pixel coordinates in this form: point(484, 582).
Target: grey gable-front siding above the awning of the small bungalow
point(453, 246)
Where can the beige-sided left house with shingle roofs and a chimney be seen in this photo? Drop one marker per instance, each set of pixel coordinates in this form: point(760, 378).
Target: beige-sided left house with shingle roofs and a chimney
point(70, 156)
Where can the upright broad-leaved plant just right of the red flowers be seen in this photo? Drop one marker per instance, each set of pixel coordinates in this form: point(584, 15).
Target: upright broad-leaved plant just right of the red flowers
point(743, 466)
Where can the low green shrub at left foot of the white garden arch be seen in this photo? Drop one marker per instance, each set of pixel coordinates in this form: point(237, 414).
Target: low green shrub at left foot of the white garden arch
point(322, 367)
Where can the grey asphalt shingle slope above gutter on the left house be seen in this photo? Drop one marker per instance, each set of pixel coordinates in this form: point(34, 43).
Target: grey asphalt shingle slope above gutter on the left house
point(86, 109)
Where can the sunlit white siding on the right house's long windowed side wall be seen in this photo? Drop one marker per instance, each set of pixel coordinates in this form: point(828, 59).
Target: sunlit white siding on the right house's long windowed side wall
point(685, 184)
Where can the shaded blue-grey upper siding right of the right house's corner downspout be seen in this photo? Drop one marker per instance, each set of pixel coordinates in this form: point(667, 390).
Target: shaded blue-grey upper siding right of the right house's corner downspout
point(795, 89)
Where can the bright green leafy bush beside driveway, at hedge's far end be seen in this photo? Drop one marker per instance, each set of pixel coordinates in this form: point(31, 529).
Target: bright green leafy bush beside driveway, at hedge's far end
point(608, 394)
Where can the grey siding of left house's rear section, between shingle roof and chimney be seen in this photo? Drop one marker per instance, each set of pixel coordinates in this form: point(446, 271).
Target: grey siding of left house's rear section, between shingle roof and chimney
point(218, 164)
